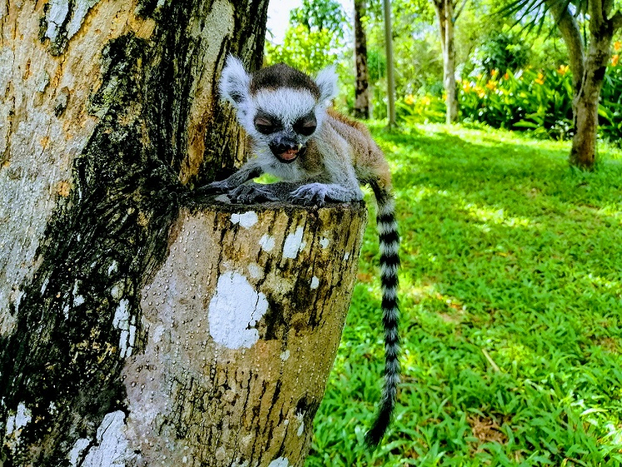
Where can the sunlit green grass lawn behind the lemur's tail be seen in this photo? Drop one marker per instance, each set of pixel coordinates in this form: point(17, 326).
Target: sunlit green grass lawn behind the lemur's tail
point(511, 298)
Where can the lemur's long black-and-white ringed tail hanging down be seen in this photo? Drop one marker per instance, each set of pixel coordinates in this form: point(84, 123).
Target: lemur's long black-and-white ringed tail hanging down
point(389, 264)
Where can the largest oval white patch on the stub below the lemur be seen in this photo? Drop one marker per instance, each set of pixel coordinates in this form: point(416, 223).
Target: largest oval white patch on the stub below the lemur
point(234, 311)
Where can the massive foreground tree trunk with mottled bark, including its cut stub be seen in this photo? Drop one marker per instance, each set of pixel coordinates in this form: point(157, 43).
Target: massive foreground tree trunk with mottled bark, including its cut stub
point(109, 112)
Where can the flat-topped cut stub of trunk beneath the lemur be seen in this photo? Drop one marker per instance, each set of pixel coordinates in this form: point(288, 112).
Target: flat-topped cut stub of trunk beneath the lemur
point(241, 326)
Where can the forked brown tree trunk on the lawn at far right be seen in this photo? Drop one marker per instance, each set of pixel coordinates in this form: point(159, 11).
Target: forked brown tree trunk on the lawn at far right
point(588, 72)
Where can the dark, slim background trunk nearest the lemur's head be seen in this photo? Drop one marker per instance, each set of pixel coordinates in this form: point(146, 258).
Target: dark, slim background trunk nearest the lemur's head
point(361, 91)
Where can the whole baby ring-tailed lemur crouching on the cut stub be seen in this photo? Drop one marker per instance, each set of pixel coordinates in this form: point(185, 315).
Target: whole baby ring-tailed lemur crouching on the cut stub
point(321, 156)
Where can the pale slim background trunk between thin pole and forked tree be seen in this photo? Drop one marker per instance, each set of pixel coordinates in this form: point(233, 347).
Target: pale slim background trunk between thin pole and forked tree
point(445, 14)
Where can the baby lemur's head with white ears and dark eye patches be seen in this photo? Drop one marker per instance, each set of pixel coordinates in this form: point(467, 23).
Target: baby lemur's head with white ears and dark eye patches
point(279, 107)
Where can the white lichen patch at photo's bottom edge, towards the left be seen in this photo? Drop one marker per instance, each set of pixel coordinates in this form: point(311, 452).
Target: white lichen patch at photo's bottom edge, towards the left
point(112, 447)
